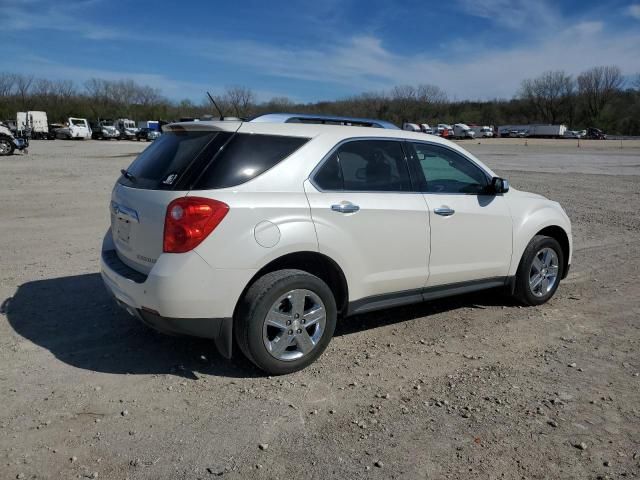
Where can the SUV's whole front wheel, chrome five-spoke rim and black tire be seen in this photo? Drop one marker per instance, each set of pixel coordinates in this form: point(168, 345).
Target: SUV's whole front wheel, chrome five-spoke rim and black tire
point(540, 271)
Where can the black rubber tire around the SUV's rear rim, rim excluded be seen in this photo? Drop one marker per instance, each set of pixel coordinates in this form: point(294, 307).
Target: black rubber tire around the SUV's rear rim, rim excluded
point(254, 306)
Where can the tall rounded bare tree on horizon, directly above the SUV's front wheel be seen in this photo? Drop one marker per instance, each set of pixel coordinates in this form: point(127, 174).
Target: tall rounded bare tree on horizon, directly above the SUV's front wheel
point(551, 95)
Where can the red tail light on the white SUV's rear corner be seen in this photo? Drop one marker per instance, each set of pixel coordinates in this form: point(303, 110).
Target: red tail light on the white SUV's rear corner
point(189, 220)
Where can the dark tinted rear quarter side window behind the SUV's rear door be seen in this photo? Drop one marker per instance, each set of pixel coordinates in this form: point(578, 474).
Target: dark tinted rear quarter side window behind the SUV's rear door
point(245, 157)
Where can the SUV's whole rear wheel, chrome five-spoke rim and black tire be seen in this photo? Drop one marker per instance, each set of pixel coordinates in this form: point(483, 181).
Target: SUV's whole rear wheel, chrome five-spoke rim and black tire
point(285, 321)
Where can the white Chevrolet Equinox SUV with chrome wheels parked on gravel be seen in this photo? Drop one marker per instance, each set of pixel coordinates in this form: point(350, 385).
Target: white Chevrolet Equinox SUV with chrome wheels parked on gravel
point(270, 232)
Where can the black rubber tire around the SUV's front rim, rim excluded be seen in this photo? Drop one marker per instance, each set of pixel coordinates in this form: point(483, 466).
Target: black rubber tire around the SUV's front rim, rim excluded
point(523, 292)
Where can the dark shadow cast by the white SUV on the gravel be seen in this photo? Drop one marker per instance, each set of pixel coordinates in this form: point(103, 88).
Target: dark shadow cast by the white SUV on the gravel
point(78, 322)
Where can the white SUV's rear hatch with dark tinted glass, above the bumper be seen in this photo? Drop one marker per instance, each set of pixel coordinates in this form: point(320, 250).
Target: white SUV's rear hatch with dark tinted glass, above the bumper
point(163, 172)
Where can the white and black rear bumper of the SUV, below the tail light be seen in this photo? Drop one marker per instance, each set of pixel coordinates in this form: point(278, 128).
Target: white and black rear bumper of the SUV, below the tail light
point(181, 294)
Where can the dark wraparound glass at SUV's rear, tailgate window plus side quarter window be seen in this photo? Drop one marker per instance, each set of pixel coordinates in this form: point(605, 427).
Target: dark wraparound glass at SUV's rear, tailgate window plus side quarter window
point(203, 160)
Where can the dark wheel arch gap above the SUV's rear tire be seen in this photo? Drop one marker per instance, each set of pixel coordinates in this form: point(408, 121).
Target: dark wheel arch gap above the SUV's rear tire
point(311, 262)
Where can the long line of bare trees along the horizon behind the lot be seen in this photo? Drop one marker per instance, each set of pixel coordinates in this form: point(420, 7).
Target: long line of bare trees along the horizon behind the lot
point(599, 97)
